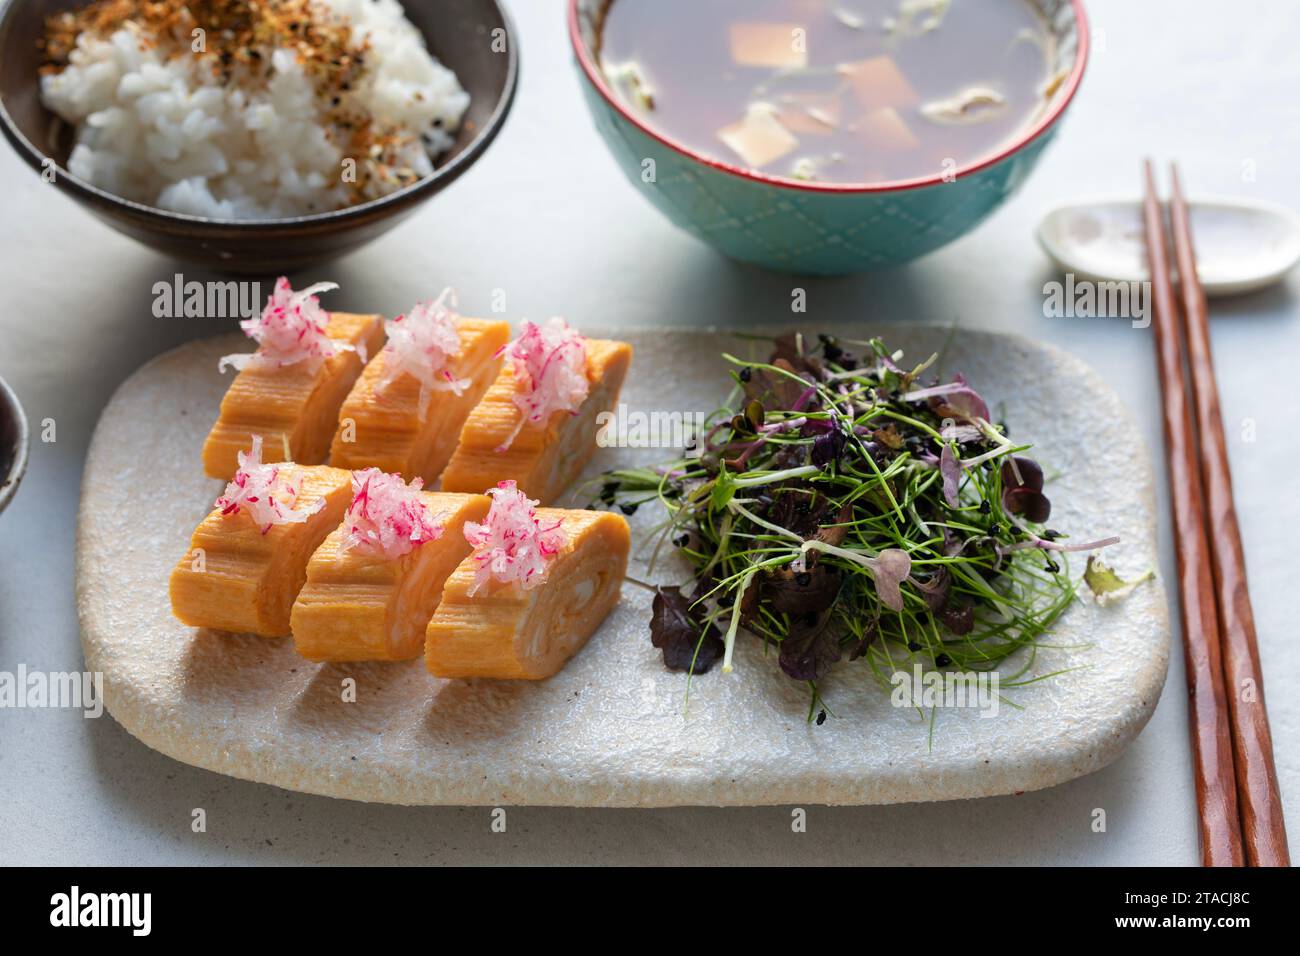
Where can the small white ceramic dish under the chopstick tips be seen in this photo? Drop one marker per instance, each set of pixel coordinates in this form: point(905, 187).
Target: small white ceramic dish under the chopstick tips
point(1241, 245)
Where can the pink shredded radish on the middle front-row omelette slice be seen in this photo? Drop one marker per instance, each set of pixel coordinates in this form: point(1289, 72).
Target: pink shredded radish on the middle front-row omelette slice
point(387, 516)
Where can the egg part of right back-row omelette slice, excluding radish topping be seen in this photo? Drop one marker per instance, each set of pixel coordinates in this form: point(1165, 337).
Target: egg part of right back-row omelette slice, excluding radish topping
point(543, 460)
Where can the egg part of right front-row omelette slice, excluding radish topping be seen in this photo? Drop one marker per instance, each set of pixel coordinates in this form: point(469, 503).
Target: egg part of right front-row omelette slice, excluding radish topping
point(506, 631)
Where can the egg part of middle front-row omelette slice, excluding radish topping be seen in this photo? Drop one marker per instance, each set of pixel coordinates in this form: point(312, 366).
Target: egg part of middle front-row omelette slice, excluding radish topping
point(365, 607)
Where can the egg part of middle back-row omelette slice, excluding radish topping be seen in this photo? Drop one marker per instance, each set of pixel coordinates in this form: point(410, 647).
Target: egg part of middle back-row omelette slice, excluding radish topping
point(393, 430)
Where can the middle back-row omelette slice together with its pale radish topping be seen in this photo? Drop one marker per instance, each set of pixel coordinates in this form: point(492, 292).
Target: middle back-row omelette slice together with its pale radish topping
point(406, 410)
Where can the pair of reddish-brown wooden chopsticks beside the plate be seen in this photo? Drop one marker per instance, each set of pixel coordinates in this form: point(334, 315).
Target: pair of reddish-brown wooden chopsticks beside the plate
point(1237, 785)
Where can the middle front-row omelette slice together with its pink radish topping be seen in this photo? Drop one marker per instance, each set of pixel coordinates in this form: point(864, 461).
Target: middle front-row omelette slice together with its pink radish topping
point(375, 582)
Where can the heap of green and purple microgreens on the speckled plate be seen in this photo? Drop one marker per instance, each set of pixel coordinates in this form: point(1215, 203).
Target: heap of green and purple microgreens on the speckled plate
point(839, 507)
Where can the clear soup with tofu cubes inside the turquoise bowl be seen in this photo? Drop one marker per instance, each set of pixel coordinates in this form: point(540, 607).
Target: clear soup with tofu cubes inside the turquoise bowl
point(853, 92)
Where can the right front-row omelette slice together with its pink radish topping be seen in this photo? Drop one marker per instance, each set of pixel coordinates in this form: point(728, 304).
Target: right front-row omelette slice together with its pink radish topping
point(536, 589)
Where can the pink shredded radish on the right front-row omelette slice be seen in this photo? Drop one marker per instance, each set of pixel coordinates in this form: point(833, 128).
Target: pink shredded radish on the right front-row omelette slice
point(512, 546)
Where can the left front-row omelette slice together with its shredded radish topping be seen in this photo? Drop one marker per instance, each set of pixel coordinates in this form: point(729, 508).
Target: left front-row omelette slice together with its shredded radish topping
point(248, 560)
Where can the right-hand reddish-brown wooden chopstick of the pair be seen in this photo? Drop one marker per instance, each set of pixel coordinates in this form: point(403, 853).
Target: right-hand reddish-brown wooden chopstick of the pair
point(1259, 801)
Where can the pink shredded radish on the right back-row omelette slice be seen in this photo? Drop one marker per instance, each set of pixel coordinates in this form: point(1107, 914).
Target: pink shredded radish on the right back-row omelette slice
point(549, 364)
